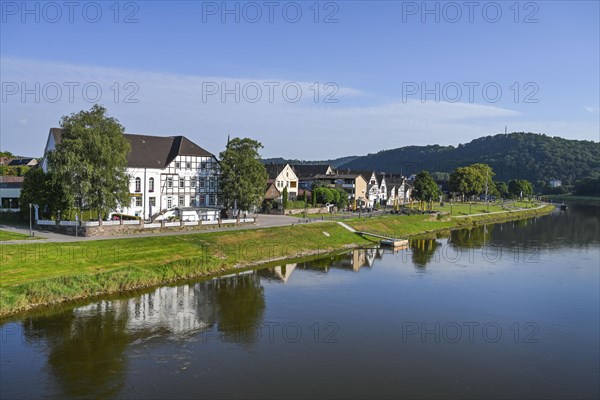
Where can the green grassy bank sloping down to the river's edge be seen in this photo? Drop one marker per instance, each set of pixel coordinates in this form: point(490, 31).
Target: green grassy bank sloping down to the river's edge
point(37, 274)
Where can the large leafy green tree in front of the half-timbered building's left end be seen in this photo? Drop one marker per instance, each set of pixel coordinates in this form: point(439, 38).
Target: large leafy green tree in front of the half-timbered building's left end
point(89, 164)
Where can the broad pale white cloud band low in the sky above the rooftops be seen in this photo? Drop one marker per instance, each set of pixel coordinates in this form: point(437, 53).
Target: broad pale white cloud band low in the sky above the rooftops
point(171, 104)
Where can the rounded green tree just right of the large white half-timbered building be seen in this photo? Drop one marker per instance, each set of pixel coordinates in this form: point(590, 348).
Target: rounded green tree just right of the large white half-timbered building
point(243, 176)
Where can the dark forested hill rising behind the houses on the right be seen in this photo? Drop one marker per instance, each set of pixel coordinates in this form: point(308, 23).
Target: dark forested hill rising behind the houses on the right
point(512, 156)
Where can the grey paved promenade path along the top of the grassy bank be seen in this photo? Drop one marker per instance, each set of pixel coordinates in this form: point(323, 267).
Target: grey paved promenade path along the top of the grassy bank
point(263, 221)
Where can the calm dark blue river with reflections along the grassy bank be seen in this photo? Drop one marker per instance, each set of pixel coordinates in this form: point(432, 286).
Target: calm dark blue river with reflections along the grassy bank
point(506, 310)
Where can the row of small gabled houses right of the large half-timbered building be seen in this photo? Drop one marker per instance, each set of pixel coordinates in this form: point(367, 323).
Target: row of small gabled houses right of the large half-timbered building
point(364, 188)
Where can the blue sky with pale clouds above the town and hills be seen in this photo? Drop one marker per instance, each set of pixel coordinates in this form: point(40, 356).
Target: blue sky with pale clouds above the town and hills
point(359, 76)
